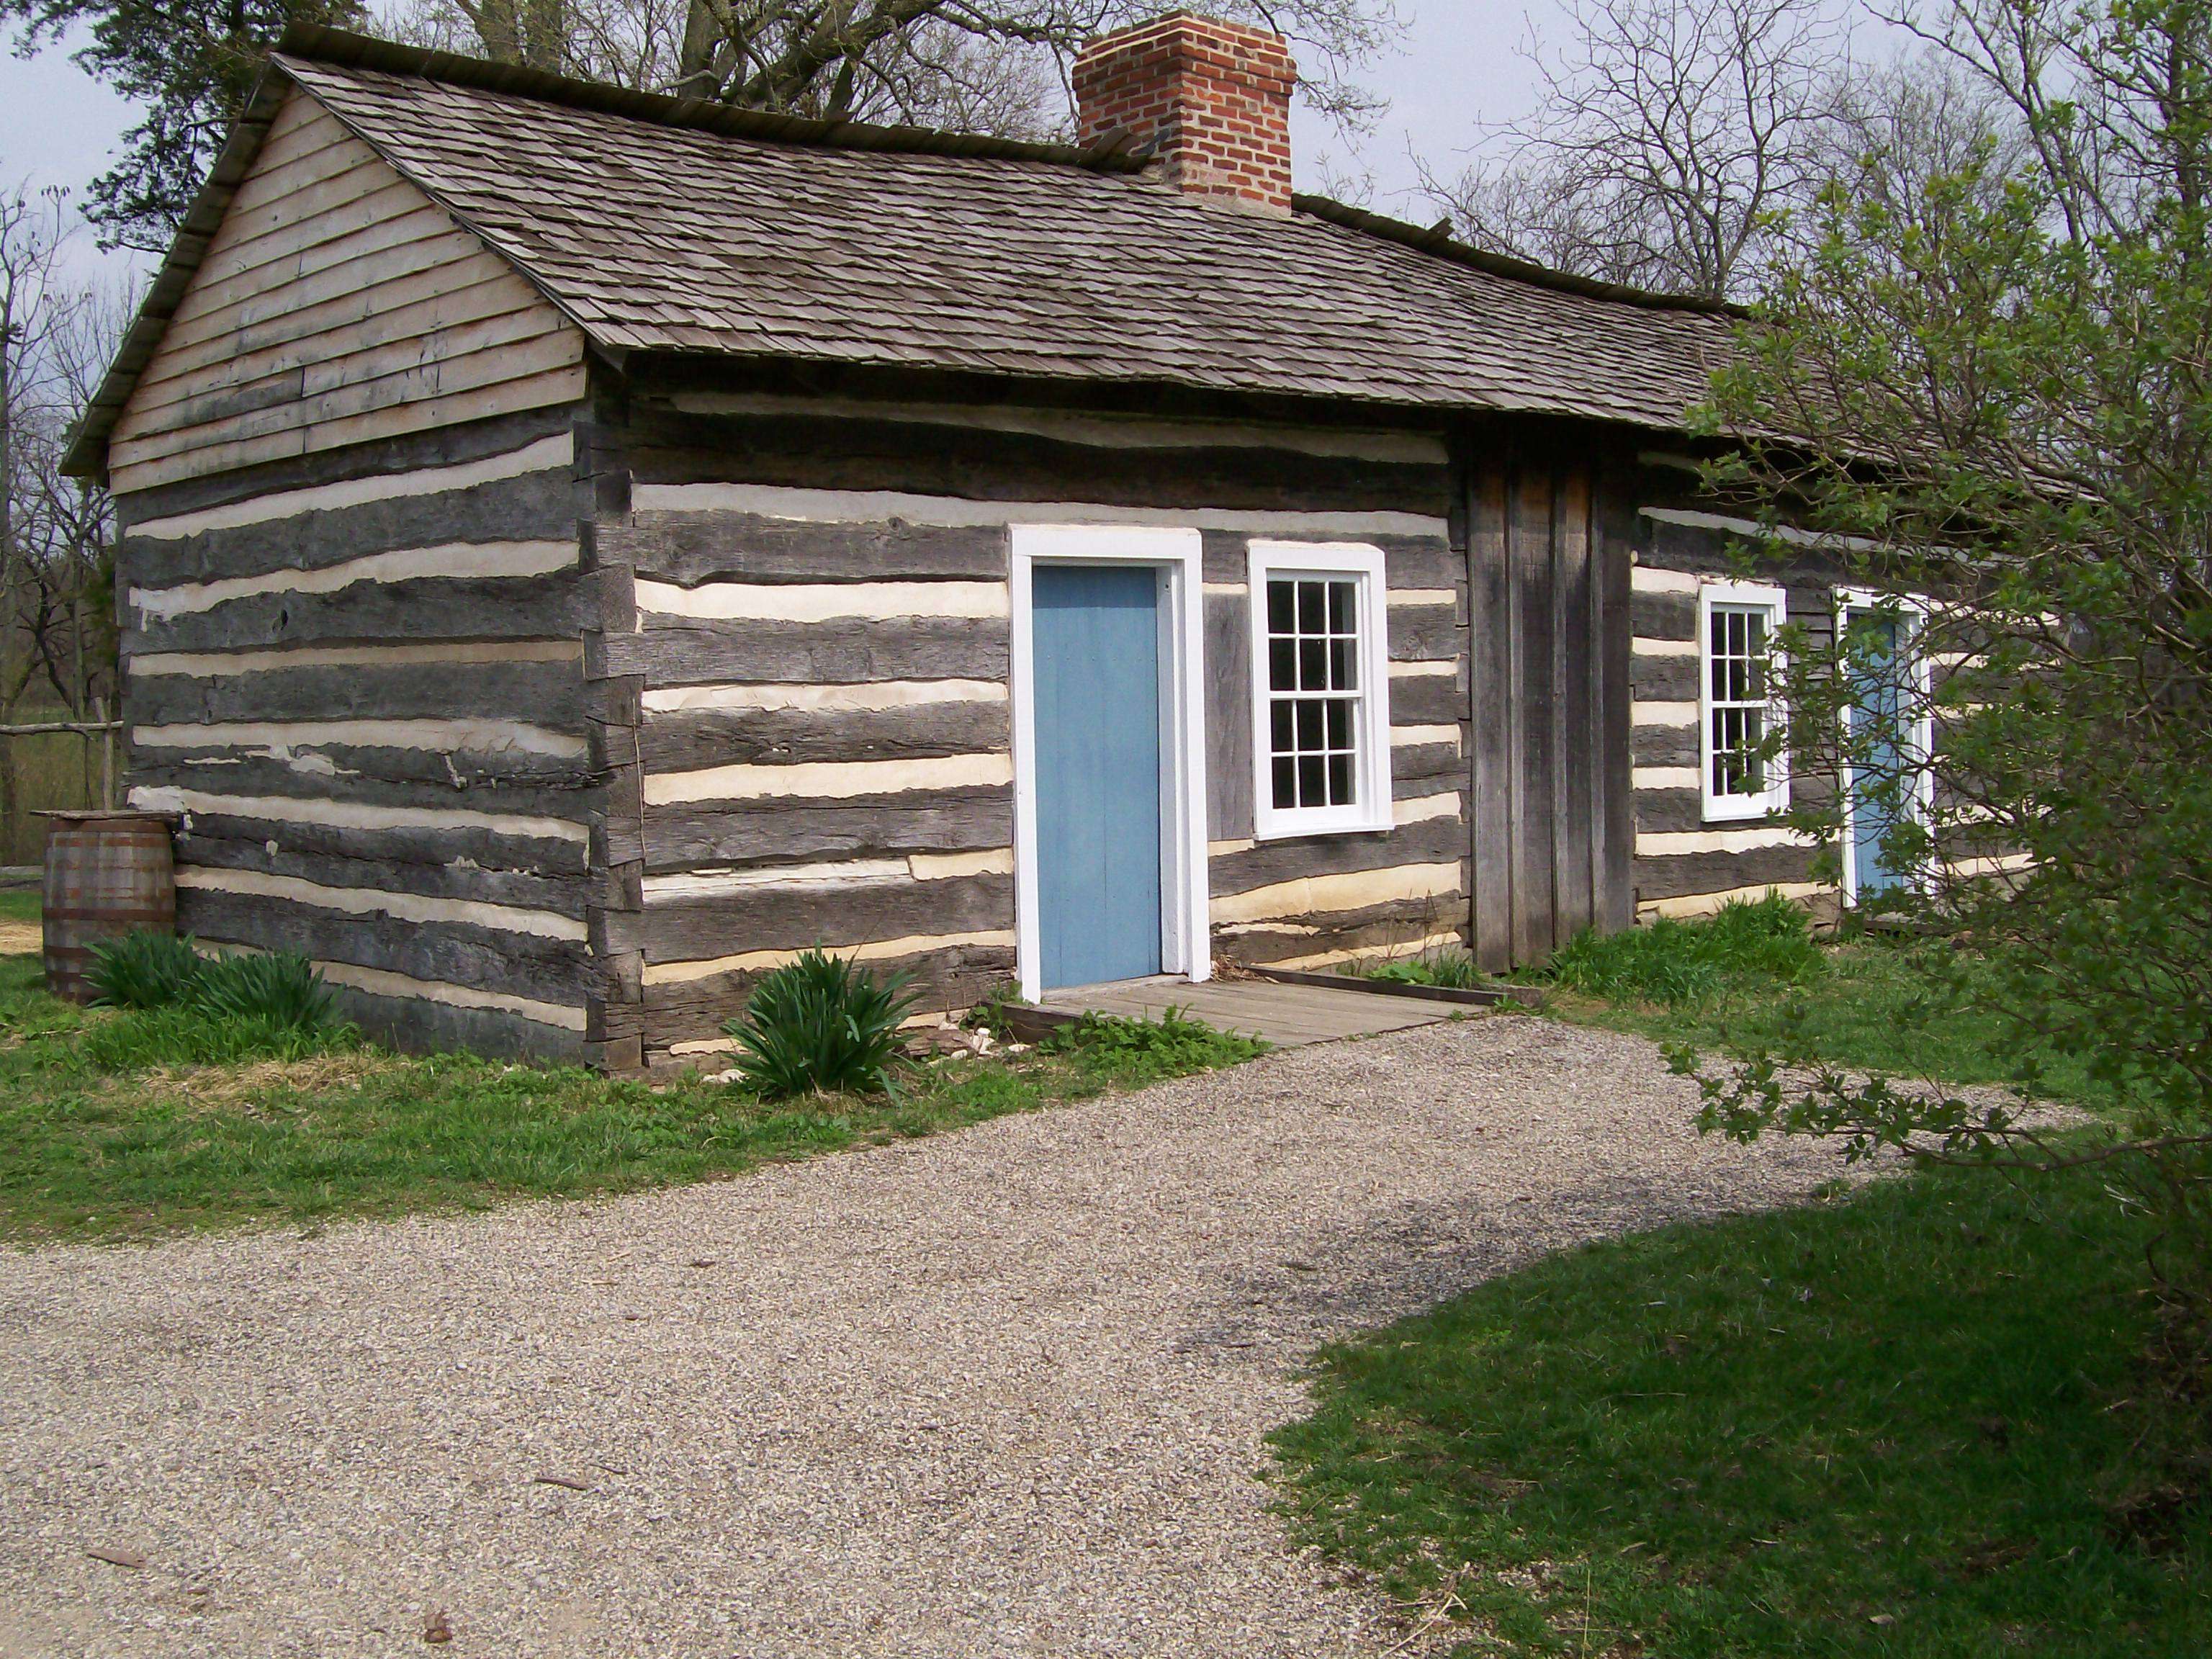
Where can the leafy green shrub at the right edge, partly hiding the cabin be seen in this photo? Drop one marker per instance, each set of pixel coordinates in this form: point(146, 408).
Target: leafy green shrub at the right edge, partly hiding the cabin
point(1999, 377)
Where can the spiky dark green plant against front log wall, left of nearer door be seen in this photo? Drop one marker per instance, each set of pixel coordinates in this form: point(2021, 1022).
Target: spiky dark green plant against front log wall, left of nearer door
point(820, 1025)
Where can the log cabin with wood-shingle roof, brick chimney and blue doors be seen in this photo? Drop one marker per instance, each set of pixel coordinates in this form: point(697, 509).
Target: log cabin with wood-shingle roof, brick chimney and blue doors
point(581, 550)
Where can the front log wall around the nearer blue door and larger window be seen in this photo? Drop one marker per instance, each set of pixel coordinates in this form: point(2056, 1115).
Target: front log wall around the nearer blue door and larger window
point(822, 678)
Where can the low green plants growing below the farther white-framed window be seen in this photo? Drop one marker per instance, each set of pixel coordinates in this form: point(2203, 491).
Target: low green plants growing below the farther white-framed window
point(1680, 963)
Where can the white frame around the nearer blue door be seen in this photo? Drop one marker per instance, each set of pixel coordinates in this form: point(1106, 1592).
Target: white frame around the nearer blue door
point(1185, 939)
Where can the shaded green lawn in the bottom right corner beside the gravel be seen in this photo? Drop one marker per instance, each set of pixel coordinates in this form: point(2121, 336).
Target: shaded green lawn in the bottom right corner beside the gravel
point(1895, 1428)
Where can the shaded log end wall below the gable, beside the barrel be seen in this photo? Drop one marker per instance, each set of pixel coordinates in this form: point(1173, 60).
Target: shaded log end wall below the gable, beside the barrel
point(357, 680)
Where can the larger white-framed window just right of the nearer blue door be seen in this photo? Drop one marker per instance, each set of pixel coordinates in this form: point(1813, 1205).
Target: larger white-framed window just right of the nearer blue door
point(1319, 689)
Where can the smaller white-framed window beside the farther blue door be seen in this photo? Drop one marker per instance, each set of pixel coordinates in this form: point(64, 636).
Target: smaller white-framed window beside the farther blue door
point(1738, 625)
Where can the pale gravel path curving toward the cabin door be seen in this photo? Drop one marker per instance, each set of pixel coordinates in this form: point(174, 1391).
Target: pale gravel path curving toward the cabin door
point(999, 1392)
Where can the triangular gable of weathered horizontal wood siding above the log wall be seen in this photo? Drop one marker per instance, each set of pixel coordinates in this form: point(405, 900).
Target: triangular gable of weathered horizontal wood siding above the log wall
point(335, 306)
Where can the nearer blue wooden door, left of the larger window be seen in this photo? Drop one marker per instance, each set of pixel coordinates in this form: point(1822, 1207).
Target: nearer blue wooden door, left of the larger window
point(1096, 649)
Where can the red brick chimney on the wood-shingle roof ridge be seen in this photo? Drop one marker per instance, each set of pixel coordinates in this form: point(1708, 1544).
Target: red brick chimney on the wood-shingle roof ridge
point(1213, 94)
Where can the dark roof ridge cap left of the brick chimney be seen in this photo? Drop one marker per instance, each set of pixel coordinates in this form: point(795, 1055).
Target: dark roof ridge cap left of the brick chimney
point(346, 50)
